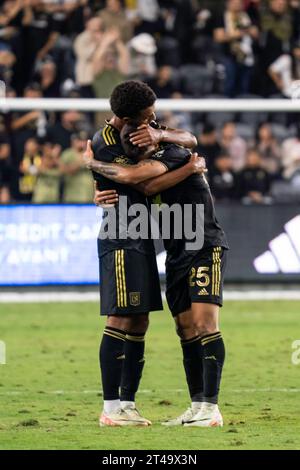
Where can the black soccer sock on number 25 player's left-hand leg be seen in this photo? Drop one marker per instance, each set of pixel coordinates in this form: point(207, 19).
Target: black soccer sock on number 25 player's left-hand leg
point(193, 366)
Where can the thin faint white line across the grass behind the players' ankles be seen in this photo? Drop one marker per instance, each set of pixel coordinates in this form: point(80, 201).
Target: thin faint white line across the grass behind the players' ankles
point(144, 391)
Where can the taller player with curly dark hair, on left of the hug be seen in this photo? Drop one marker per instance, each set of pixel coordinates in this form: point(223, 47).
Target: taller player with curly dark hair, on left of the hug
point(126, 299)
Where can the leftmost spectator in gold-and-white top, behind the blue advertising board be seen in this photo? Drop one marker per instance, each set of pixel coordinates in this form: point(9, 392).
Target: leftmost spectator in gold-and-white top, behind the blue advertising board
point(29, 168)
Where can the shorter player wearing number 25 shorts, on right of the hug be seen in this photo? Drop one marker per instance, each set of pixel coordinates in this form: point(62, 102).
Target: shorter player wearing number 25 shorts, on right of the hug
point(194, 278)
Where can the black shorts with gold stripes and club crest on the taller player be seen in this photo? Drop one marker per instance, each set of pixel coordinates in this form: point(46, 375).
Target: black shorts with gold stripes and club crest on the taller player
point(129, 283)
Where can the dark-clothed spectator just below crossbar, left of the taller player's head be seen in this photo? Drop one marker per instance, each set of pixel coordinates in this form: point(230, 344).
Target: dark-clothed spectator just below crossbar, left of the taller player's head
point(61, 132)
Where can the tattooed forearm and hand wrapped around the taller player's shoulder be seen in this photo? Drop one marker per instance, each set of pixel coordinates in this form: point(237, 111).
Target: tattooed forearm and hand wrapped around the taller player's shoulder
point(131, 174)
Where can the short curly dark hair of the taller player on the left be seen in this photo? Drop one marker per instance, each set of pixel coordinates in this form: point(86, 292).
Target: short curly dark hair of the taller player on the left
point(130, 98)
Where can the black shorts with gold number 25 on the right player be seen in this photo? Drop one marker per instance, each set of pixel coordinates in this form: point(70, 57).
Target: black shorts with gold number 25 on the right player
point(202, 281)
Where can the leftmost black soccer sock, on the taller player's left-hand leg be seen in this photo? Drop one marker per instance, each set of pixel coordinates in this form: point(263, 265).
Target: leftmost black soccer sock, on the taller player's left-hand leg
point(111, 357)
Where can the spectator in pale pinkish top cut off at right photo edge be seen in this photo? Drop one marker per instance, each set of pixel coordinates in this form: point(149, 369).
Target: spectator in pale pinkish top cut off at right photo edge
point(291, 155)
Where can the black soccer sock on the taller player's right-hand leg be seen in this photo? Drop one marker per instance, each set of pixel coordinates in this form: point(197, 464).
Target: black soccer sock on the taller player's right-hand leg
point(133, 365)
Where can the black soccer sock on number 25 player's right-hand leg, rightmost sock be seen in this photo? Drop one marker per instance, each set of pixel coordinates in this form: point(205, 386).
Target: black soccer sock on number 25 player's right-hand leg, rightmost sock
point(213, 361)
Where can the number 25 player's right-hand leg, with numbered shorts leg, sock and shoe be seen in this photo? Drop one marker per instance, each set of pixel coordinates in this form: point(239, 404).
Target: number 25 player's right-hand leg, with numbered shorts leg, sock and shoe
point(206, 294)
